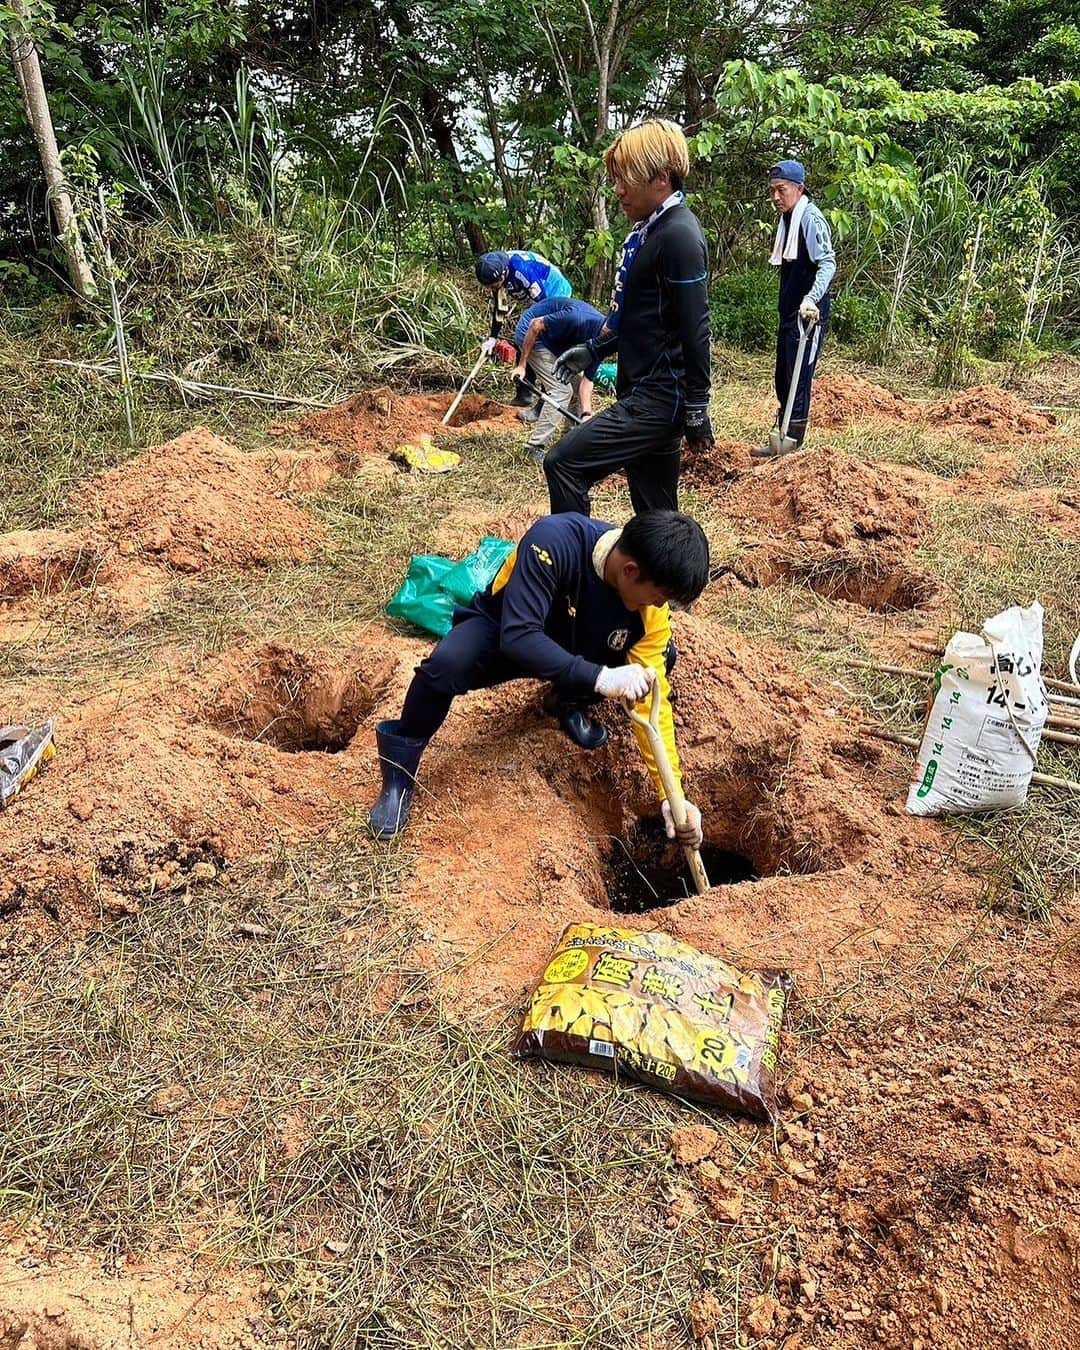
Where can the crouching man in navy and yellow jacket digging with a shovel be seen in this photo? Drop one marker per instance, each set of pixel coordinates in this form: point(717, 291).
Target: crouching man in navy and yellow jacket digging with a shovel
point(578, 603)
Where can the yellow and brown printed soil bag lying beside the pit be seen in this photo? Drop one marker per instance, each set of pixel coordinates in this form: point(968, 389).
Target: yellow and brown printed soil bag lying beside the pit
point(654, 1009)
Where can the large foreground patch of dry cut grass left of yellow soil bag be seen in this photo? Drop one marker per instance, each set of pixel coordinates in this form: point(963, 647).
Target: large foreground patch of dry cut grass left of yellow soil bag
point(385, 1168)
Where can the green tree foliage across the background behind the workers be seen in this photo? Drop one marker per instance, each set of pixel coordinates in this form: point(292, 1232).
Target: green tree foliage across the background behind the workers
point(441, 128)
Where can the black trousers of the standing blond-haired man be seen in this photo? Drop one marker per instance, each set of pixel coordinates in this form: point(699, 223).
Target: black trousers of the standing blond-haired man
point(637, 434)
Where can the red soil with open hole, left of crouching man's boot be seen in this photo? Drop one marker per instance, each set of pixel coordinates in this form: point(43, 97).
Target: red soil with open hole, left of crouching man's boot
point(175, 778)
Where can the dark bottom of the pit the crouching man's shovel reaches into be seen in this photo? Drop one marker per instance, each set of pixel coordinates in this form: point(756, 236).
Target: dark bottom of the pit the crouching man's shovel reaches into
point(647, 871)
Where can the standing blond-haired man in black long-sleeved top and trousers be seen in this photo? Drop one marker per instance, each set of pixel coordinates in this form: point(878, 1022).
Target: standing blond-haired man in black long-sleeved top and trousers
point(659, 325)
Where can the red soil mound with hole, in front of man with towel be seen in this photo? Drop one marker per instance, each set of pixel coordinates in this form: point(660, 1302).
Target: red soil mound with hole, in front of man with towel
point(844, 527)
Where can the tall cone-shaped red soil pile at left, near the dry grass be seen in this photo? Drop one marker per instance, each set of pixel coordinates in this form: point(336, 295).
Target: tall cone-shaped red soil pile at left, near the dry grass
point(196, 502)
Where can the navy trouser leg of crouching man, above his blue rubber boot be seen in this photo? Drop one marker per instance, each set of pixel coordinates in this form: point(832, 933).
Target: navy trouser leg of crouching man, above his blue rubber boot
point(468, 658)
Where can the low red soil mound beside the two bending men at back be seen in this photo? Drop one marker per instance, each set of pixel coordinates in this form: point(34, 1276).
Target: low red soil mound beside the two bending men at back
point(381, 421)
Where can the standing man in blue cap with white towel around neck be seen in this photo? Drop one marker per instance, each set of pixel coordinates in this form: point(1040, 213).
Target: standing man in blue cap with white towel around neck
point(804, 253)
